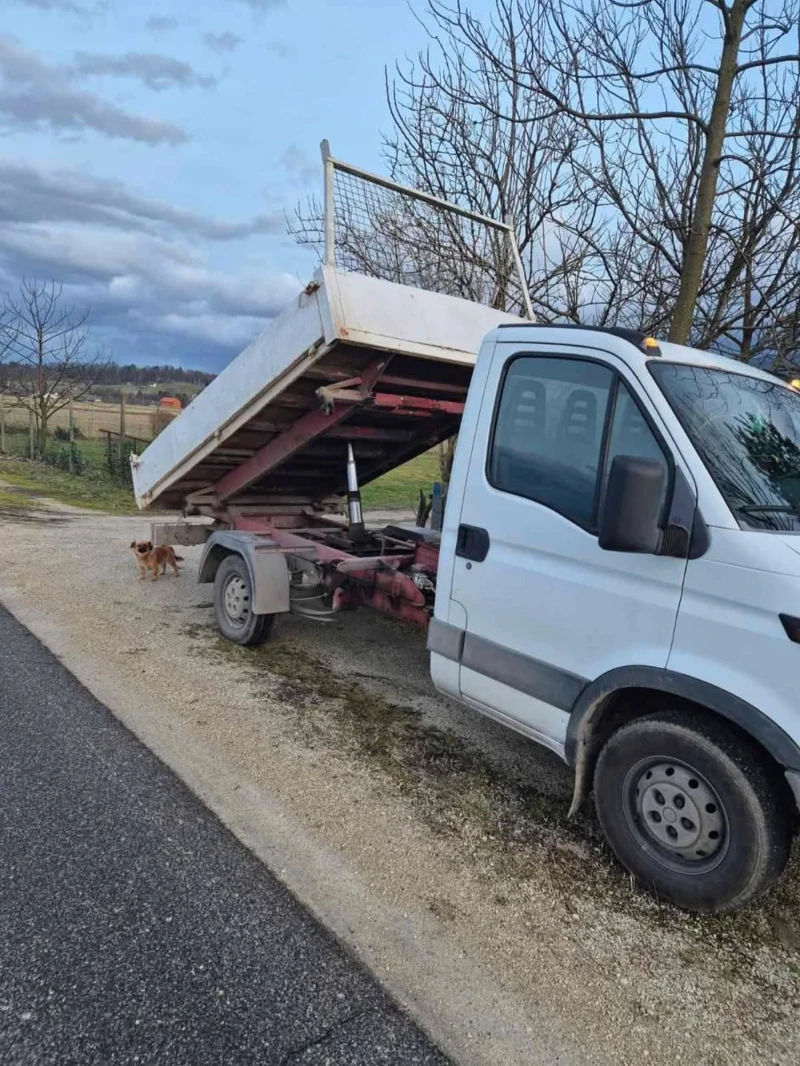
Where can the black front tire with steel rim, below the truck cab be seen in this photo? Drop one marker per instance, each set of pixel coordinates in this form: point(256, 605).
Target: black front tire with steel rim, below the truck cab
point(693, 811)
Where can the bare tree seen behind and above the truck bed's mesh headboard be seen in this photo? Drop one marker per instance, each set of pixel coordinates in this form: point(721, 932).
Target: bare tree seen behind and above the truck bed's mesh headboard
point(452, 140)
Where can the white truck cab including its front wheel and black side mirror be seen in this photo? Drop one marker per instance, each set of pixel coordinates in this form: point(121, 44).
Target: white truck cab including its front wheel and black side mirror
point(619, 580)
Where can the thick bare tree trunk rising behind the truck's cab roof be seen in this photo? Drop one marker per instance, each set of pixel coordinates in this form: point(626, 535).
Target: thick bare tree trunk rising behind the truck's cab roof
point(698, 245)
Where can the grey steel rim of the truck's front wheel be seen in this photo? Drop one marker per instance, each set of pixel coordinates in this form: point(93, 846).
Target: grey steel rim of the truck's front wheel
point(677, 816)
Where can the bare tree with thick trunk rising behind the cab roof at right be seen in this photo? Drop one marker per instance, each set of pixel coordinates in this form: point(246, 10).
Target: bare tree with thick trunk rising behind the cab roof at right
point(685, 119)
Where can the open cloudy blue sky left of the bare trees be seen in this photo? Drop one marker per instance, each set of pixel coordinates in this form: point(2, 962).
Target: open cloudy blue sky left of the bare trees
point(149, 152)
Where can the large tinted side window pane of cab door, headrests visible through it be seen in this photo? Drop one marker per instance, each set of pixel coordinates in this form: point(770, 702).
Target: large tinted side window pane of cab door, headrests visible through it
point(549, 433)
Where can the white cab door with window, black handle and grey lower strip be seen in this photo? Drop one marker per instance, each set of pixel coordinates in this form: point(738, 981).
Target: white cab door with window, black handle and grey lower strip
point(547, 609)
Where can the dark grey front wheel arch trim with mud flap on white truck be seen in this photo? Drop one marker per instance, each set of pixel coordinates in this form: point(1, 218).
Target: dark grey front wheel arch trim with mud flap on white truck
point(609, 702)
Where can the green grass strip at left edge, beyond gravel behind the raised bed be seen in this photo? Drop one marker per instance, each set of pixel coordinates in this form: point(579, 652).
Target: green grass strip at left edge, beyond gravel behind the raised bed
point(93, 491)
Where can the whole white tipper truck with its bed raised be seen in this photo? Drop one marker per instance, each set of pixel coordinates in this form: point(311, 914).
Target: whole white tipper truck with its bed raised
point(618, 577)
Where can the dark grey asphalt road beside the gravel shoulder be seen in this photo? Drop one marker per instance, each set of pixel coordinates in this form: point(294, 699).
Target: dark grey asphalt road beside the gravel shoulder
point(135, 928)
